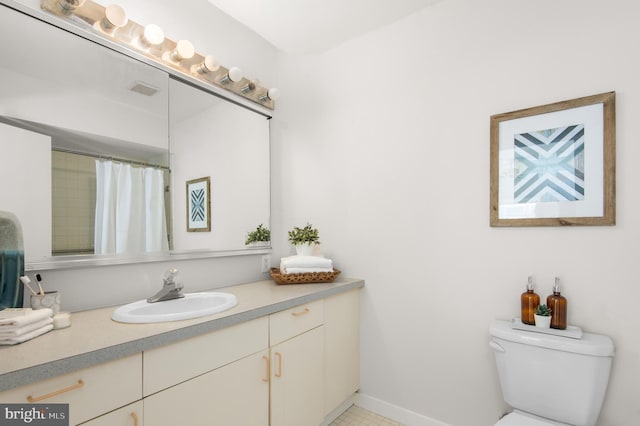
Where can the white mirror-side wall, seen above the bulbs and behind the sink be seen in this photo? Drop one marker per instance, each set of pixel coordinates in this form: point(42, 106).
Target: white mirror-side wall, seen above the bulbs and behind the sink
point(211, 31)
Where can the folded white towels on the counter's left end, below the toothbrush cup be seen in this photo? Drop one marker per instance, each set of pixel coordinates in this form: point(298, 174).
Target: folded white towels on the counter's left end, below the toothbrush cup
point(20, 325)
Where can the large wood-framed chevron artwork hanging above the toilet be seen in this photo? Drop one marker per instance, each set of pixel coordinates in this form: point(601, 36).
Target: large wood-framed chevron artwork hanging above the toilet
point(554, 165)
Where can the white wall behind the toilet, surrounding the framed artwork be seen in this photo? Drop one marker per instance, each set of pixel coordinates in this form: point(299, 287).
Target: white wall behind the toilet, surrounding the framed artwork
point(394, 171)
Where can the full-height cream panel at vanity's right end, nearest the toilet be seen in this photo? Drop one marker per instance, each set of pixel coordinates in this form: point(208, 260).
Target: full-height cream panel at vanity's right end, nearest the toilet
point(342, 348)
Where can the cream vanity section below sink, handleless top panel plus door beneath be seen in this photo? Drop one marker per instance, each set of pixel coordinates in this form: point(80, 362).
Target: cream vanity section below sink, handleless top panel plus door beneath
point(217, 378)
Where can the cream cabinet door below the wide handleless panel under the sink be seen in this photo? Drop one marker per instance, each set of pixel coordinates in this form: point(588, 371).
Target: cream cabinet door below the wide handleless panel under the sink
point(234, 395)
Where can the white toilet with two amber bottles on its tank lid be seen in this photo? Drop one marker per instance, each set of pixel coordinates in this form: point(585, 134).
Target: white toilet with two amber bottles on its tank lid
point(551, 380)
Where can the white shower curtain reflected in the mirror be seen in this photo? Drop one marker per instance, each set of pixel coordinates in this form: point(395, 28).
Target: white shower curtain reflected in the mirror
point(130, 214)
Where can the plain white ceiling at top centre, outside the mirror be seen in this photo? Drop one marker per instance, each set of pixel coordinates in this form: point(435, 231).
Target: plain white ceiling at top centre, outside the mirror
point(314, 26)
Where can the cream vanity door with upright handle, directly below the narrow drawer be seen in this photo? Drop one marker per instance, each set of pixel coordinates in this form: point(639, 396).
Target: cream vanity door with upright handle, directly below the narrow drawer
point(297, 380)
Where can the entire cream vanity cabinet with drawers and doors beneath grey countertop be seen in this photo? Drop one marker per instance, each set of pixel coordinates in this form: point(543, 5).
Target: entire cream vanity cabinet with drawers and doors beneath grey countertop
point(286, 368)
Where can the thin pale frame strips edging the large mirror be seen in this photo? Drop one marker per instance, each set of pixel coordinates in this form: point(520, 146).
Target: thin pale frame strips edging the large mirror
point(80, 261)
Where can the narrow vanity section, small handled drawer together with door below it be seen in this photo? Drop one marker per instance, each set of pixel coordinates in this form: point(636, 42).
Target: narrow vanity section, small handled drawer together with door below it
point(297, 365)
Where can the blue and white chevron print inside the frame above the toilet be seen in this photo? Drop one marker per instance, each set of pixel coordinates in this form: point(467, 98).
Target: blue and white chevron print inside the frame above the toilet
point(549, 165)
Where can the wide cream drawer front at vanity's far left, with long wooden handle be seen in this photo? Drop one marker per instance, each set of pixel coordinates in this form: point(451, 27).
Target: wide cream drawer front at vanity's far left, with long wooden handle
point(90, 392)
